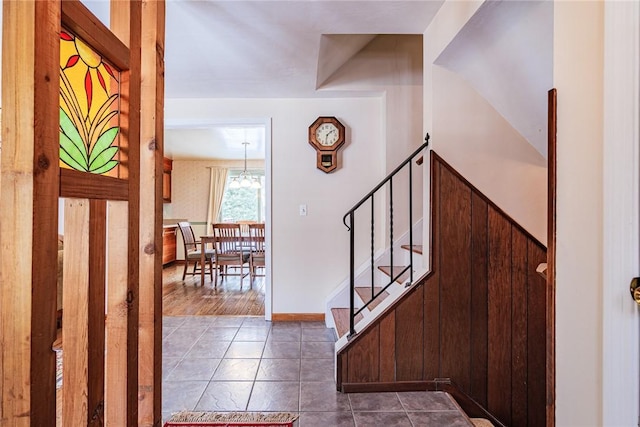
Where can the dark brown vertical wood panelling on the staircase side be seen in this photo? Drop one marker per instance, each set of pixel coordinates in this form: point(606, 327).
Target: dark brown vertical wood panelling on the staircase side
point(479, 317)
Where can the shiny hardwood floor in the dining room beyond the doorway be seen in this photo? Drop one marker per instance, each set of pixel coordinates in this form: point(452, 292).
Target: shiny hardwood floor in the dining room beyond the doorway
point(188, 297)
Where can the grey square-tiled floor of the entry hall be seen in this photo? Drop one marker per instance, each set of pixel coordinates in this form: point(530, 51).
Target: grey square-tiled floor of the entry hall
point(244, 363)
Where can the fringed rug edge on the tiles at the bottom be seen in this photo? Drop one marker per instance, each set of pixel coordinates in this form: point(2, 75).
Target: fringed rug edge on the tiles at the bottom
point(243, 419)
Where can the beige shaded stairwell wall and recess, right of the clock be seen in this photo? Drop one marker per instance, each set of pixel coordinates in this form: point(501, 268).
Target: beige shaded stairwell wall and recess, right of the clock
point(392, 65)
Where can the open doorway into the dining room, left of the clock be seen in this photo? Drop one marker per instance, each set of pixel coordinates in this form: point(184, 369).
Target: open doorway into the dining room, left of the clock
point(239, 147)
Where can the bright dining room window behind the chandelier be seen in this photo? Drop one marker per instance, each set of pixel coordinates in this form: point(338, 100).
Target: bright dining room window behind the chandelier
point(244, 203)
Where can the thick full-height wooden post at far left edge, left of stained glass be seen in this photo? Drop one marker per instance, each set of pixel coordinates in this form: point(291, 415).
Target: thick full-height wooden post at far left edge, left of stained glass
point(28, 208)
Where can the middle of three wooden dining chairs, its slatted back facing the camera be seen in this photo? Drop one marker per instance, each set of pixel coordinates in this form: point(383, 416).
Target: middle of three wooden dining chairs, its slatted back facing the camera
point(227, 245)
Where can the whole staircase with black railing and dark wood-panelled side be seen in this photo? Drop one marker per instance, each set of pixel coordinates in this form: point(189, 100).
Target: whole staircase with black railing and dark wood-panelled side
point(475, 325)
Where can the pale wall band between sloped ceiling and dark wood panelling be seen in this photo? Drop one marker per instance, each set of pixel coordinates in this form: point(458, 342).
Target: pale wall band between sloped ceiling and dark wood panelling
point(477, 141)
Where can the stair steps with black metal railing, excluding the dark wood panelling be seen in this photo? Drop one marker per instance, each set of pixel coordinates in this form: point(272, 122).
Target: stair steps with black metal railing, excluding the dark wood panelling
point(384, 277)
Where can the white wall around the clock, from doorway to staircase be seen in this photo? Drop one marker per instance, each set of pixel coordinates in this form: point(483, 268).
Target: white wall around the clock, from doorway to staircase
point(311, 254)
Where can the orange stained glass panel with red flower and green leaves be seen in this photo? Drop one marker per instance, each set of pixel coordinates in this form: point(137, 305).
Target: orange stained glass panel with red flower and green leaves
point(89, 109)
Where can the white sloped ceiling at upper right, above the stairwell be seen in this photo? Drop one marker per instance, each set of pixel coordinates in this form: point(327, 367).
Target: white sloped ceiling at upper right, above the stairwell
point(506, 53)
